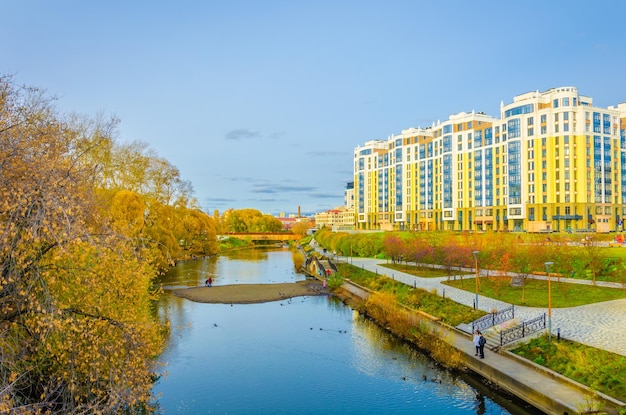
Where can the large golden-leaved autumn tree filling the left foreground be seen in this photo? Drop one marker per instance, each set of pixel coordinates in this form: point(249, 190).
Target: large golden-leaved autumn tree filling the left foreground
point(76, 331)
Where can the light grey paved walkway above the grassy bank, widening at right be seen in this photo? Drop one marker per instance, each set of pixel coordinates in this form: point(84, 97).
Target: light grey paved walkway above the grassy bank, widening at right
point(601, 325)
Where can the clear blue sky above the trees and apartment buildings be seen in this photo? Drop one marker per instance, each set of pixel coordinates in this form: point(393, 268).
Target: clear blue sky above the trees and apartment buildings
point(261, 103)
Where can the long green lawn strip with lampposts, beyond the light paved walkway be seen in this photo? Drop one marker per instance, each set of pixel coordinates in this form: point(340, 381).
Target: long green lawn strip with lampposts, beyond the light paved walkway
point(534, 293)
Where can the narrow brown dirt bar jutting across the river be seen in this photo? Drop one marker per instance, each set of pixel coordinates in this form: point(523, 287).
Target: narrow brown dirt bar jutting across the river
point(251, 293)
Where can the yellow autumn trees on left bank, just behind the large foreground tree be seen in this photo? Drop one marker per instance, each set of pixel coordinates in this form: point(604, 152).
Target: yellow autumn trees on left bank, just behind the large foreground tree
point(144, 195)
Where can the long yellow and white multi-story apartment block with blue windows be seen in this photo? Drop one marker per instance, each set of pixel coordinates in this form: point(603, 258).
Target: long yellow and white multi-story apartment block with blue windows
point(551, 162)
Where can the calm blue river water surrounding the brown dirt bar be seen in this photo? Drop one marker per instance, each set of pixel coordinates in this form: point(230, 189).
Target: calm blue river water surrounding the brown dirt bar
point(307, 355)
